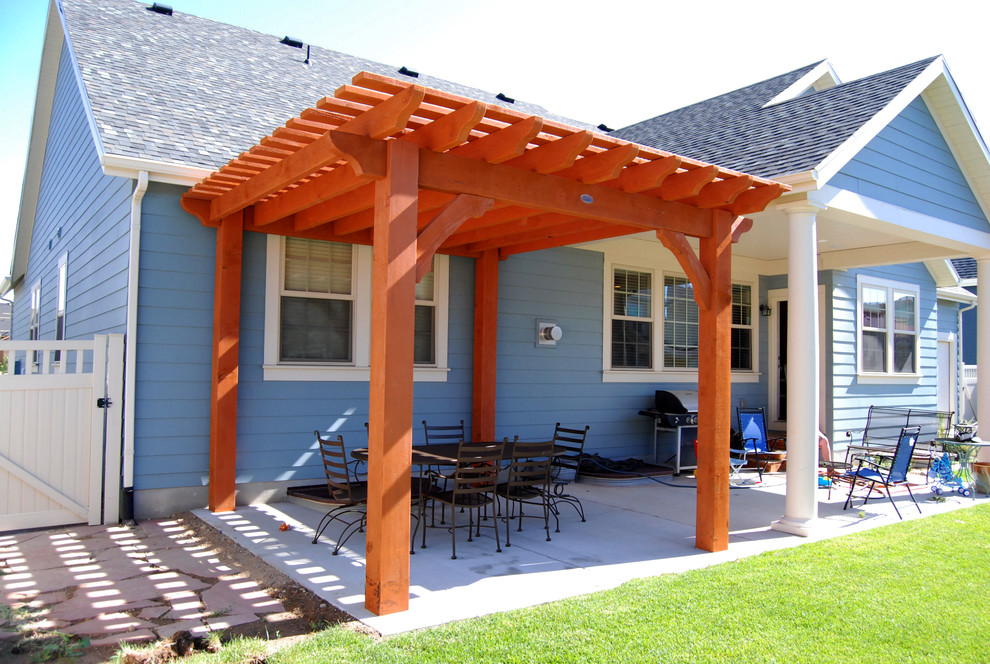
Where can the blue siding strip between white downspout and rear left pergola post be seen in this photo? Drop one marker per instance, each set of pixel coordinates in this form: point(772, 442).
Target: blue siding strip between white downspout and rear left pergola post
point(175, 344)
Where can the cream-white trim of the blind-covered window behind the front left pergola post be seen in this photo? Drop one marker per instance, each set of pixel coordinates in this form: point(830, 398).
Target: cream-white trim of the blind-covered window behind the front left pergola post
point(360, 368)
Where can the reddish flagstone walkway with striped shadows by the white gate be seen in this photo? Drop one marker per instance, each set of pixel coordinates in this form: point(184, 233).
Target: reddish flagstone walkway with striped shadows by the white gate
point(126, 583)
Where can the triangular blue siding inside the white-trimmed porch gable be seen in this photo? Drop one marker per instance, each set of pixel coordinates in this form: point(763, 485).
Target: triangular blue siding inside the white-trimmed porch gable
point(910, 165)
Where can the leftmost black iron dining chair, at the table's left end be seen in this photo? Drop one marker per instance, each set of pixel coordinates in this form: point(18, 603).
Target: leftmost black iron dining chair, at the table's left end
point(347, 494)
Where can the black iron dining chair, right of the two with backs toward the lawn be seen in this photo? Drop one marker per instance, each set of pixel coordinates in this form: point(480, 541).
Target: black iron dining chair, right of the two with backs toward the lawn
point(527, 483)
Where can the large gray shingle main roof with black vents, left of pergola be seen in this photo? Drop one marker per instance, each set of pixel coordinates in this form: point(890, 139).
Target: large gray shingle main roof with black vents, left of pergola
point(187, 90)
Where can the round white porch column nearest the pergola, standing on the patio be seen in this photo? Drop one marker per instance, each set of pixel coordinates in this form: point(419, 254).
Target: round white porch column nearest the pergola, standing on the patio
point(801, 502)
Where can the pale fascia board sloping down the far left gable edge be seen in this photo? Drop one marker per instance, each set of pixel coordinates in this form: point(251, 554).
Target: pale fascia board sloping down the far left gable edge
point(38, 139)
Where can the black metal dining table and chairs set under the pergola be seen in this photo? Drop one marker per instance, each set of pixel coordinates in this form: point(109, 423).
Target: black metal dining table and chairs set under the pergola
point(471, 477)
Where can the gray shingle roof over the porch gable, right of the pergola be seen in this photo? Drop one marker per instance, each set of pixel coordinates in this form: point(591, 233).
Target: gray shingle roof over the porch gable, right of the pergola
point(734, 130)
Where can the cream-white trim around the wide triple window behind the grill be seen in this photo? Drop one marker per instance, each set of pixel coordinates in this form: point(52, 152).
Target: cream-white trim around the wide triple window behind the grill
point(658, 373)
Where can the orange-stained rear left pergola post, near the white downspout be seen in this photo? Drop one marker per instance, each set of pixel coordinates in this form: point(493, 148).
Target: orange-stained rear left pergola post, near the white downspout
point(226, 342)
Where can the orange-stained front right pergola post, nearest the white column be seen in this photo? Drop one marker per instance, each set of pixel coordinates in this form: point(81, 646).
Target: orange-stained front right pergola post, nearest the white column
point(715, 388)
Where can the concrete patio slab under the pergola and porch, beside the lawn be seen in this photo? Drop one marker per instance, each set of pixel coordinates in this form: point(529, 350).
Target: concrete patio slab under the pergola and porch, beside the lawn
point(631, 532)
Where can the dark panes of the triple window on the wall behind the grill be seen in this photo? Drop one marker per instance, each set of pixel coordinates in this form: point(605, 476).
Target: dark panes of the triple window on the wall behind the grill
point(633, 318)
